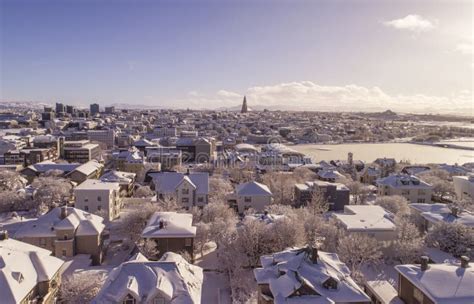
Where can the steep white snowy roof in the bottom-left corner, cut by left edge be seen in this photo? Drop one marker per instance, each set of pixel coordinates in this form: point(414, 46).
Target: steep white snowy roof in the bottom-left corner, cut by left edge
point(22, 267)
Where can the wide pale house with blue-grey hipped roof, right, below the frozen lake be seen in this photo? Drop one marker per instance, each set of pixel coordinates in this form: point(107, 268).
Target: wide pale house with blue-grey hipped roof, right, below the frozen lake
point(409, 186)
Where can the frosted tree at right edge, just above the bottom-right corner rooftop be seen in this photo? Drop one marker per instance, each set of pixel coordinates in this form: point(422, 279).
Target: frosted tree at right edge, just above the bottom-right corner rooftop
point(457, 239)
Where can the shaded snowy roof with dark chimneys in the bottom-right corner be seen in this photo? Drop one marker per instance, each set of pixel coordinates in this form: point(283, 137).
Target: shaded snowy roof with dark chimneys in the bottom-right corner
point(446, 283)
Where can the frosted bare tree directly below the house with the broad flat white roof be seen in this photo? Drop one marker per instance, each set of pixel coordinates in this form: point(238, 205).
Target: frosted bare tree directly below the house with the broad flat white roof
point(357, 249)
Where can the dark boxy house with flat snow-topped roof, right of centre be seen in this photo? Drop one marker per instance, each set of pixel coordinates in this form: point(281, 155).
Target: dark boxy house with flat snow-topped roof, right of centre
point(337, 195)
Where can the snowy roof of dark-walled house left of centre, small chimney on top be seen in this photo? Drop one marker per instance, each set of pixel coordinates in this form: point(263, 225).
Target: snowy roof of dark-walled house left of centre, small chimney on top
point(170, 225)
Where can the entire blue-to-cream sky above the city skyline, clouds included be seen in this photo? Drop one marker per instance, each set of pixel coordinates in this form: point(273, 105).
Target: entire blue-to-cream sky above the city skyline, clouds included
point(314, 55)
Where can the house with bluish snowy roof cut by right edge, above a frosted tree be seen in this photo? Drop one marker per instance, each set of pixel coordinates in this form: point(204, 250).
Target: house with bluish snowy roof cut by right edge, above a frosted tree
point(437, 213)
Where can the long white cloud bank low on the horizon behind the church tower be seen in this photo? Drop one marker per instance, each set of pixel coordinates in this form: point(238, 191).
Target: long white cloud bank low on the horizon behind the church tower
point(307, 95)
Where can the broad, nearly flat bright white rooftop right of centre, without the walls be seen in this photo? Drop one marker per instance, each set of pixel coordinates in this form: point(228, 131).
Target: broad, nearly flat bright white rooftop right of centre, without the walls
point(365, 218)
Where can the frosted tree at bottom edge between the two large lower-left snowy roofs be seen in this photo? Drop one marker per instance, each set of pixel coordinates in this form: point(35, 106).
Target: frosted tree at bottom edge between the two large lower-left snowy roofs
point(80, 288)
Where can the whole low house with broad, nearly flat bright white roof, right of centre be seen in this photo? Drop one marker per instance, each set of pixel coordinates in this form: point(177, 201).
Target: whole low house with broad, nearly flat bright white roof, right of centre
point(373, 221)
